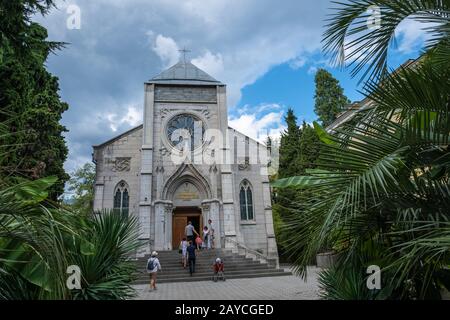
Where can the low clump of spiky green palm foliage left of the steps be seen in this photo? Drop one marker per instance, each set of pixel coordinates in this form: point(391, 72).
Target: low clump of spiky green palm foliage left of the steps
point(39, 240)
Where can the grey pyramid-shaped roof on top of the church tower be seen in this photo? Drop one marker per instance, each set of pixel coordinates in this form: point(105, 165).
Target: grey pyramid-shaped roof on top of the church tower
point(184, 73)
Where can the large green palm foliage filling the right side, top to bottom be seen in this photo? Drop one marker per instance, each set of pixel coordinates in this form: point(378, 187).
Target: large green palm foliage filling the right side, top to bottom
point(382, 182)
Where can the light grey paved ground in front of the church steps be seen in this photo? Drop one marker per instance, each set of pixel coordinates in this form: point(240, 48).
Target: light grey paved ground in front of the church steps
point(275, 288)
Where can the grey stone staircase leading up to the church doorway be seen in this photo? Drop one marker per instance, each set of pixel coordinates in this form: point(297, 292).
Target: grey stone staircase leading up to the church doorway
point(236, 266)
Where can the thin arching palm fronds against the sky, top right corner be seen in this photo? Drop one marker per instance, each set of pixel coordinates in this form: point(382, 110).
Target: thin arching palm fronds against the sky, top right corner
point(349, 40)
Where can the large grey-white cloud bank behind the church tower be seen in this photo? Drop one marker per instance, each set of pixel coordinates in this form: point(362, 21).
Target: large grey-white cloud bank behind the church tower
point(103, 68)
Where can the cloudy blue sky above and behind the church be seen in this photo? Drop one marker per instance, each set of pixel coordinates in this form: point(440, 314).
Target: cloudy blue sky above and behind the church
point(267, 53)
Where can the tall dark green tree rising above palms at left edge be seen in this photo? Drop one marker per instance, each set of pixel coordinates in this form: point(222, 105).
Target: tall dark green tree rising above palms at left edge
point(30, 105)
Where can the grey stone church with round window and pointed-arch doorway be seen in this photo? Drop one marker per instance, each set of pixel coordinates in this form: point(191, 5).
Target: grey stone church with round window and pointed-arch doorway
point(185, 164)
